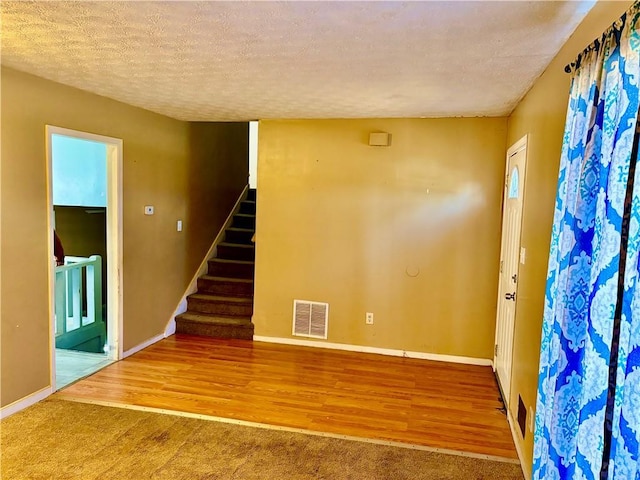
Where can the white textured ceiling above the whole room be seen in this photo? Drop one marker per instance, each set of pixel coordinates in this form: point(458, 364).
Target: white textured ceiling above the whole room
point(255, 60)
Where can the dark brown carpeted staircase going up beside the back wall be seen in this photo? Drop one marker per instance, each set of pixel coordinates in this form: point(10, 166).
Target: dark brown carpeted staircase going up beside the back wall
point(223, 305)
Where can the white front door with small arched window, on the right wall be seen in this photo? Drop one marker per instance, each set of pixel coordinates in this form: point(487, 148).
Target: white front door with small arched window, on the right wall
point(510, 258)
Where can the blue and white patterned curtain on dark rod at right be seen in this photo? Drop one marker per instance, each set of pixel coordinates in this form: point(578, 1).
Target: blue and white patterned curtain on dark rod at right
point(588, 408)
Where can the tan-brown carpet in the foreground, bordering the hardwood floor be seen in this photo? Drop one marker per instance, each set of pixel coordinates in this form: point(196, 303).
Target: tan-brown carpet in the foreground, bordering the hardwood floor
point(57, 439)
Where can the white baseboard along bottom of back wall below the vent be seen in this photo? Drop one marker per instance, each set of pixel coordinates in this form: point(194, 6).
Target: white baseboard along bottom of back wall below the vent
point(377, 350)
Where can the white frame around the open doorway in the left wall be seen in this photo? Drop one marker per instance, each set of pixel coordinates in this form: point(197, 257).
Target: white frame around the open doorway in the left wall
point(114, 240)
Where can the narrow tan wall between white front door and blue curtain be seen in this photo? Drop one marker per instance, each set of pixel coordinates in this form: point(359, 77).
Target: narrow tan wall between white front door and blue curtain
point(542, 115)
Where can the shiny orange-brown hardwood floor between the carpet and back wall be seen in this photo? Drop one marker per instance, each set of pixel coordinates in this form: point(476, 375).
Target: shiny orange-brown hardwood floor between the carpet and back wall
point(434, 404)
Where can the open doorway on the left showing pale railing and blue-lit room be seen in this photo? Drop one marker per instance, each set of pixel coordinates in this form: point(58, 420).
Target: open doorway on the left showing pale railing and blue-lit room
point(85, 205)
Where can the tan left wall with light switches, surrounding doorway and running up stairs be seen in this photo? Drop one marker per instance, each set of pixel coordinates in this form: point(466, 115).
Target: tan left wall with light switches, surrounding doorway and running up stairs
point(188, 171)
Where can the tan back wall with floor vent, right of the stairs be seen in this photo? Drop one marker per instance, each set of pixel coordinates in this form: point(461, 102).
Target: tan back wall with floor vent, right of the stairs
point(349, 224)
